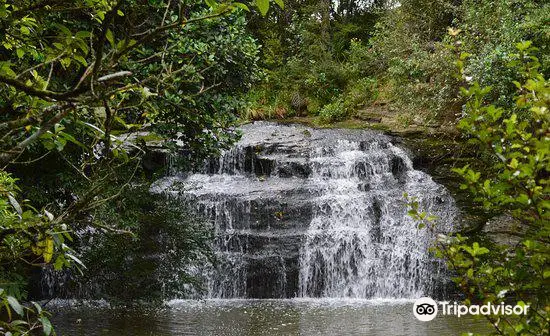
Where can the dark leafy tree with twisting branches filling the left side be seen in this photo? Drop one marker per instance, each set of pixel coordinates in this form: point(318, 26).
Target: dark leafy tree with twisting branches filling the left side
point(76, 78)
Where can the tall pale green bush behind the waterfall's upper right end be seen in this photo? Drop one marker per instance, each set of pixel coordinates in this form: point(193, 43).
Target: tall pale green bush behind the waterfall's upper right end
point(413, 60)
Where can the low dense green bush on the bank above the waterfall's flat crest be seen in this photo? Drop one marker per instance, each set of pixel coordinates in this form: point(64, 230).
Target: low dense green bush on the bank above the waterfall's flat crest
point(318, 78)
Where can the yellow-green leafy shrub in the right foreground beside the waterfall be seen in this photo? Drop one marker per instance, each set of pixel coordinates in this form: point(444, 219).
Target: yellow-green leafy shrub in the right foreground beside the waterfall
point(515, 182)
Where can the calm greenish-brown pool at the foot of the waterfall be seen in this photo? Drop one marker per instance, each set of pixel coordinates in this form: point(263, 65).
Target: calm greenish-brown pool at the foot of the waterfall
point(260, 317)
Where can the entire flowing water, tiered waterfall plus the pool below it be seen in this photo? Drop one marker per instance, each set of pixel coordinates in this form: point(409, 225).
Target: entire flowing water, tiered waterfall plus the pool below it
point(312, 237)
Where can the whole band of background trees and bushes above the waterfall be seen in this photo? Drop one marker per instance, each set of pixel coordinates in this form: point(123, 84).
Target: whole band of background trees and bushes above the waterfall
point(320, 49)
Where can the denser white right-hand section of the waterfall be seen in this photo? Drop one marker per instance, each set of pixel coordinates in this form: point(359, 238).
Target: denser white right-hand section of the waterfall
point(360, 242)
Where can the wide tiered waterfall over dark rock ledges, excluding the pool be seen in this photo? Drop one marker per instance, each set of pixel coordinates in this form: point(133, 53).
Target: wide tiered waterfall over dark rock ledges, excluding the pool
point(301, 212)
